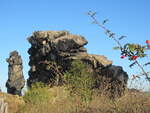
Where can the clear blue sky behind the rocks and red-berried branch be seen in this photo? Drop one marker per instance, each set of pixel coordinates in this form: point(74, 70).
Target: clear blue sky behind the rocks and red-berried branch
point(19, 18)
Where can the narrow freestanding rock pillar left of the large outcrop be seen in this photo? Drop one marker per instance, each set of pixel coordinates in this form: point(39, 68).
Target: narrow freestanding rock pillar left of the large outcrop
point(16, 80)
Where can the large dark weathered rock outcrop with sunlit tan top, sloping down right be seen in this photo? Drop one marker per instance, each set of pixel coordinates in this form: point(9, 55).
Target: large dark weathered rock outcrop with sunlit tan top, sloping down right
point(52, 52)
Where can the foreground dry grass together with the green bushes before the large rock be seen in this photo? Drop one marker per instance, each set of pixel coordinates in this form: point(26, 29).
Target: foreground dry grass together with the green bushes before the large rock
point(77, 96)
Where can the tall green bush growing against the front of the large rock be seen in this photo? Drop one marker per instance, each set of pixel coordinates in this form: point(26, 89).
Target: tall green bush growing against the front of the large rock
point(79, 80)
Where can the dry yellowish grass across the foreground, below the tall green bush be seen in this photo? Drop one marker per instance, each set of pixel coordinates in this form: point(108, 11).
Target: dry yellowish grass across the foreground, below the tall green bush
point(60, 101)
